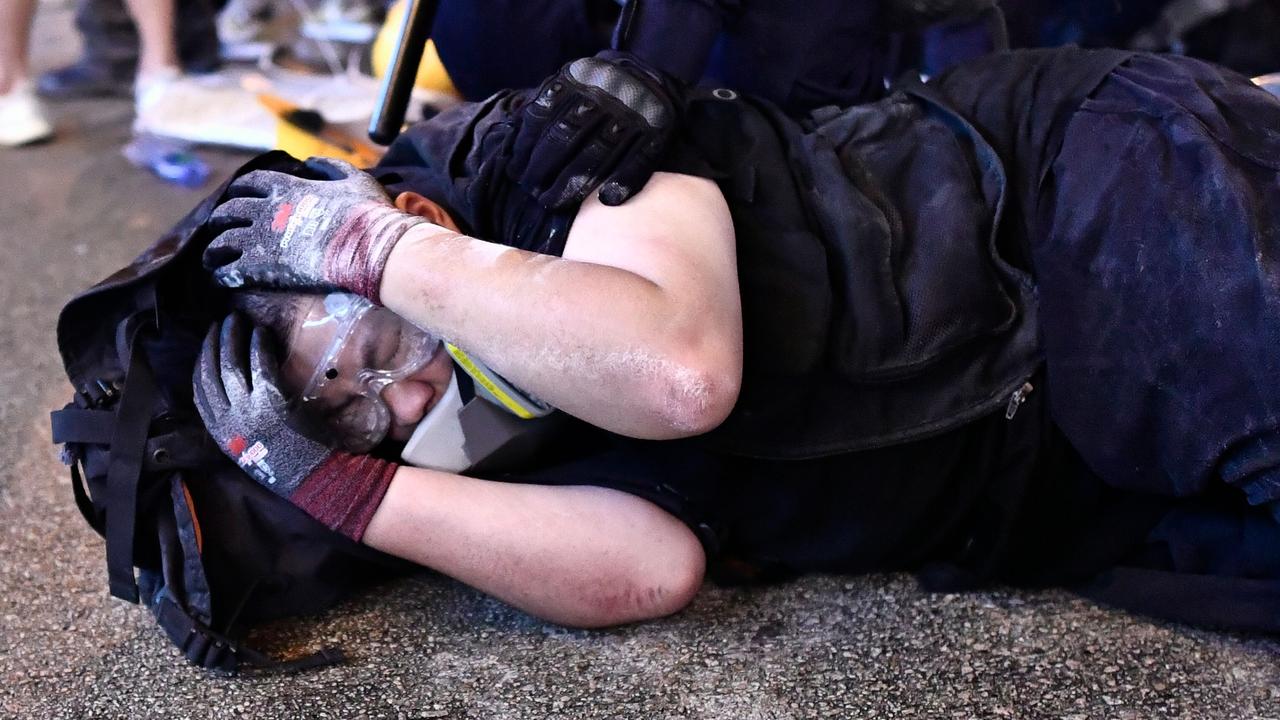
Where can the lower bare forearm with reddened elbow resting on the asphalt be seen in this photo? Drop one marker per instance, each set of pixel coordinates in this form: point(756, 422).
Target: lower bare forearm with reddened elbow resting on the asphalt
point(578, 557)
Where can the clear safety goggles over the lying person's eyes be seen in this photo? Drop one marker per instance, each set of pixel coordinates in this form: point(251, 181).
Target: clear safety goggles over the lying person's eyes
point(355, 350)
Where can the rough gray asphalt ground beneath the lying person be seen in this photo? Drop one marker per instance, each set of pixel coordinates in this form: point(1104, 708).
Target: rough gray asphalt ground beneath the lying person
point(427, 648)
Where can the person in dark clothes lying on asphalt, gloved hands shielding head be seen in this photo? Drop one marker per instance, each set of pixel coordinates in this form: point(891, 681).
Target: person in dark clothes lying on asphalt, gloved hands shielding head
point(1013, 325)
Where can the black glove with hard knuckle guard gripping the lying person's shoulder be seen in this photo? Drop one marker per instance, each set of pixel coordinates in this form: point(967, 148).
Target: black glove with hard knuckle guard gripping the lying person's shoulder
point(600, 122)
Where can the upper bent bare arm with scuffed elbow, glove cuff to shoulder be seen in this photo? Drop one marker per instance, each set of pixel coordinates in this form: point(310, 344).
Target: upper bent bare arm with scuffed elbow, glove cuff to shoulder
point(636, 330)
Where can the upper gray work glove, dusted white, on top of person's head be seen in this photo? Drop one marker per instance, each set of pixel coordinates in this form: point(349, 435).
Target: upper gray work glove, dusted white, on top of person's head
point(299, 234)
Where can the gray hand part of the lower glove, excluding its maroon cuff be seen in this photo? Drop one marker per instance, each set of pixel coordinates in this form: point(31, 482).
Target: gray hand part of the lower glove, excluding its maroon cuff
point(237, 395)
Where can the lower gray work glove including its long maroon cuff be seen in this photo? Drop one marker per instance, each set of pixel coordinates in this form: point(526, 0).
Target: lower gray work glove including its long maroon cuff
point(239, 398)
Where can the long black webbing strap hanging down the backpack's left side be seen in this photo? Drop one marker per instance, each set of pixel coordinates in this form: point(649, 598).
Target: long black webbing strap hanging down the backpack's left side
point(124, 472)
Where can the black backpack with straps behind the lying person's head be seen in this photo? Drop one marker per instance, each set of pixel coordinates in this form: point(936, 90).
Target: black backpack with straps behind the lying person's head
point(214, 552)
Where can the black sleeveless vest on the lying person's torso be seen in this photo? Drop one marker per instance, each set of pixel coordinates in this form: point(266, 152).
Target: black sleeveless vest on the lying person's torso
point(885, 291)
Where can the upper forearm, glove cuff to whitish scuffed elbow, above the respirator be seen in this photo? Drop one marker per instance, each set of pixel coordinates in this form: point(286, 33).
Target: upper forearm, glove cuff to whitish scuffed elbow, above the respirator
point(600, 343)
